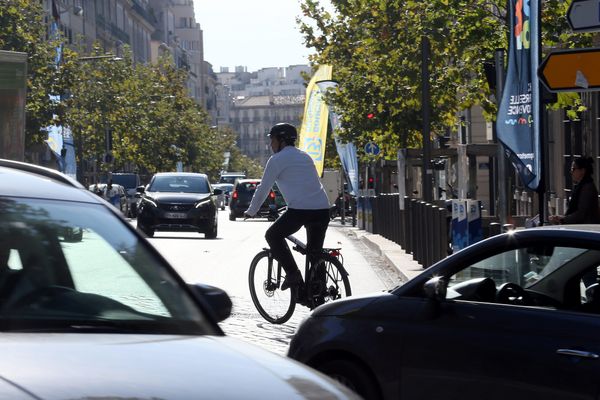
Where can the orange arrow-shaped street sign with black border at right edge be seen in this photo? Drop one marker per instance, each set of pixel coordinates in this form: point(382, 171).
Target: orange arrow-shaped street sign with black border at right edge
point(576, 70)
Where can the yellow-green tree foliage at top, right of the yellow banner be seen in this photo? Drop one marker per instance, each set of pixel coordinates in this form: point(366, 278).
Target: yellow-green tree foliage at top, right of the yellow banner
point(374, 47)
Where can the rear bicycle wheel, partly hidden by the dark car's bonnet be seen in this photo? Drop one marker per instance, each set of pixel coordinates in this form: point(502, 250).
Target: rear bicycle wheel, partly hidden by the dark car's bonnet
point(327, 282)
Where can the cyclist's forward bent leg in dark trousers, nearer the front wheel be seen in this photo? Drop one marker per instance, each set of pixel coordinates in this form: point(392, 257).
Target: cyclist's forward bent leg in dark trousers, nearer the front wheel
point(288, 223)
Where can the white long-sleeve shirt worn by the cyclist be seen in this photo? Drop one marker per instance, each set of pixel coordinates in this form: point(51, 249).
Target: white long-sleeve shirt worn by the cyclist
point(296, 176)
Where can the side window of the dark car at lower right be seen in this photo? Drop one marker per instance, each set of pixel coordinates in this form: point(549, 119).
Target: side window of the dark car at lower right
point(540, 276)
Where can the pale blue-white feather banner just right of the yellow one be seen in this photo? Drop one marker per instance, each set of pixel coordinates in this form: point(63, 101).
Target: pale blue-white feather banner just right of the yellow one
point(346, 151)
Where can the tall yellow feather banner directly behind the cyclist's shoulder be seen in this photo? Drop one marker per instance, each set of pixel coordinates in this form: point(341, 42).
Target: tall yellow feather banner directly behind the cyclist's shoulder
point(313, 131)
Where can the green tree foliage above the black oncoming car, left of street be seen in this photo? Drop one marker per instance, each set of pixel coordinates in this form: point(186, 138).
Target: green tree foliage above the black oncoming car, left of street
point(146, 110)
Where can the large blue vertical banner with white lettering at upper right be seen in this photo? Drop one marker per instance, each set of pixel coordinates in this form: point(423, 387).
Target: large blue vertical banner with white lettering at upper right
point(518, 121)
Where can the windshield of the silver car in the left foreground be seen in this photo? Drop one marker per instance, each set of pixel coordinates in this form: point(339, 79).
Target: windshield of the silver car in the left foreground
point(72, 266)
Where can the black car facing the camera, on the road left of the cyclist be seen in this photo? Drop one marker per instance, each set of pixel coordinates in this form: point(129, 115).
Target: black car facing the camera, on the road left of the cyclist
point(178, 201)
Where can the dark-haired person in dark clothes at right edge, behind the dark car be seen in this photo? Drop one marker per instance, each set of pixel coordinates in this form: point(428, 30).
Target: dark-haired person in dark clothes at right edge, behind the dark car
point(583, 203)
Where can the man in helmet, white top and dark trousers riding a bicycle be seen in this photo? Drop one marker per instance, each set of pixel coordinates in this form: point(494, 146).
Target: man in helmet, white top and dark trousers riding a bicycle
point(308, 205)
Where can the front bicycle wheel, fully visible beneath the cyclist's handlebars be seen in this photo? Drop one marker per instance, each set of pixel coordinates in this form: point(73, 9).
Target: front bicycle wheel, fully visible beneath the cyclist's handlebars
point(265, 278)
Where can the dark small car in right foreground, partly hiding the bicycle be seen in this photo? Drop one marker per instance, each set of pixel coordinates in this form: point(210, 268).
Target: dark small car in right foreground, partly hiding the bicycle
point(514, 316)
